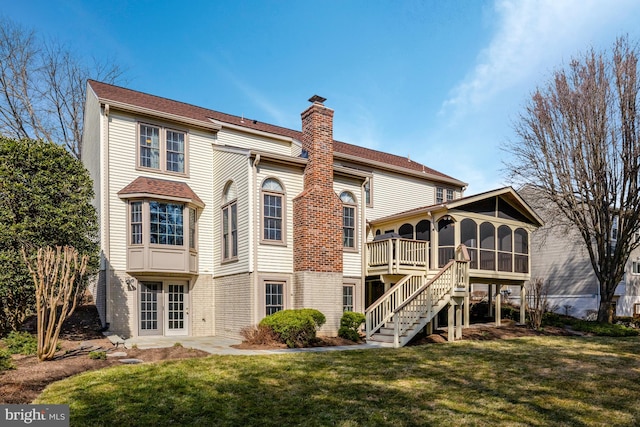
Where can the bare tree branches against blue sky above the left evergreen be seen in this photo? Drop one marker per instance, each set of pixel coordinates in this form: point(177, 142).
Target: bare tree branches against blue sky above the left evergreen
point(43, 87)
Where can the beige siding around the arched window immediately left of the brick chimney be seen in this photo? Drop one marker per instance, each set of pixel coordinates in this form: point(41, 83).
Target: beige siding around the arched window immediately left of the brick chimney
point(277, 258)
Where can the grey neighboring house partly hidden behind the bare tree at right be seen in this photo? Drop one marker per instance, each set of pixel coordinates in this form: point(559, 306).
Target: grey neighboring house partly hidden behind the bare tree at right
point(562, 261)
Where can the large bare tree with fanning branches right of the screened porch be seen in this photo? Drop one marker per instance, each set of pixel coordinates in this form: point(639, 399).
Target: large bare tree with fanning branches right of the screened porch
point(579, 141)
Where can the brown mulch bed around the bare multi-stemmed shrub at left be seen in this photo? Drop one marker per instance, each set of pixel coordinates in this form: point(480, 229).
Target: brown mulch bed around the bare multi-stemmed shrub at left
point(80, 335)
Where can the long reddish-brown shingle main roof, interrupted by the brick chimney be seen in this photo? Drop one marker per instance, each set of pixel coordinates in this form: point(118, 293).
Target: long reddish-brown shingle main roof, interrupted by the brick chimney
point(107, 92)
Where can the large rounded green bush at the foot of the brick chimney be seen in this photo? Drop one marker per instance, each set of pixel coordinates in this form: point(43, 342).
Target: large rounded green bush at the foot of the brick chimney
point(296, 328)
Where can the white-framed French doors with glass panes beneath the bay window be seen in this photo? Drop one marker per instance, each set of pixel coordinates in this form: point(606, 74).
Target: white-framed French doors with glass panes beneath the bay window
point(163, 308)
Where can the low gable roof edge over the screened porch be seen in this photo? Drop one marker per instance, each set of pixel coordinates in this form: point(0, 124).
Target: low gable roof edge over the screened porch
point(507, 193)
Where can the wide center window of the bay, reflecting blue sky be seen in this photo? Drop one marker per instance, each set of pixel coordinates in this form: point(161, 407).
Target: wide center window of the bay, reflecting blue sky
point(166, 223)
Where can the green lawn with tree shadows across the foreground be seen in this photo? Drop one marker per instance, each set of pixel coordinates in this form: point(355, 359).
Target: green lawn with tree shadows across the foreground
point(526, 381)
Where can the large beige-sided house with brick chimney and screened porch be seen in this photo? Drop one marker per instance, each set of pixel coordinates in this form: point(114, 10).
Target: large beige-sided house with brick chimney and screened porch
point(209, 222)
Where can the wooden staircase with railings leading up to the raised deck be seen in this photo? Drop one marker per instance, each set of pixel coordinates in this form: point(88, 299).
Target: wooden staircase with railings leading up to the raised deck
point(405, 309)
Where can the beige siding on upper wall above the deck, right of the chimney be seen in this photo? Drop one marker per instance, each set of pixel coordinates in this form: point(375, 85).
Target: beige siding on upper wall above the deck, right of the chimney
point(393, 193)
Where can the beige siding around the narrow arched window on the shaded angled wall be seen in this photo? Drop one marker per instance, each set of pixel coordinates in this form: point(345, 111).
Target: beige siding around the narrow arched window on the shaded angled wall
point(231, 166)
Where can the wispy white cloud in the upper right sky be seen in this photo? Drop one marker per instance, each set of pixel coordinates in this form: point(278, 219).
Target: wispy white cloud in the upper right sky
point(531, 38)
